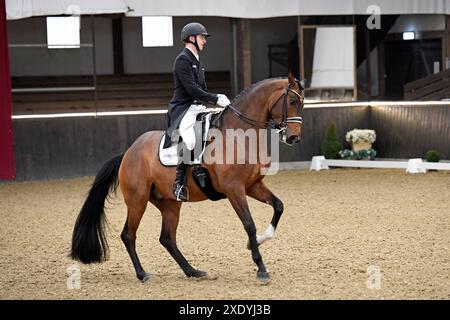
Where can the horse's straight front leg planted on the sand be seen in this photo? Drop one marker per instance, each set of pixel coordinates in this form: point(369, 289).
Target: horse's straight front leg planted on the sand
point(239, 202)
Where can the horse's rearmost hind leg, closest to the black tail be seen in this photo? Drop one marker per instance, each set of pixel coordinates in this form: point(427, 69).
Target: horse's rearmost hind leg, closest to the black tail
point(128, 237)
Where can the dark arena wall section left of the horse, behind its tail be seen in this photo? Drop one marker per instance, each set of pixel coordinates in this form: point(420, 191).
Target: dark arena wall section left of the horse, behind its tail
point(74, 147)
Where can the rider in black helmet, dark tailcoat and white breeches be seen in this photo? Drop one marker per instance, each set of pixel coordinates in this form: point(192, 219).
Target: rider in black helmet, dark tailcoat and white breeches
point(190, 92)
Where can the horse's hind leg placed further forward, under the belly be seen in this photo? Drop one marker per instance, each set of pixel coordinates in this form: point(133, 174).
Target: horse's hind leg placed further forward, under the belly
point(170, 211)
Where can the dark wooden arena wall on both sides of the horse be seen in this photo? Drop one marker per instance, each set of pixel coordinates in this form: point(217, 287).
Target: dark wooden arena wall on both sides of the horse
point(72, 147)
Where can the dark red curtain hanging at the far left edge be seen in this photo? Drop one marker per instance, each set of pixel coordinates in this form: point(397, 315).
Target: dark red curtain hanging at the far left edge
point(7, 166)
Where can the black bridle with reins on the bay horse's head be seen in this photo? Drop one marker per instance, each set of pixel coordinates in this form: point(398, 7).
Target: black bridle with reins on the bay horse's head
point(281, 126)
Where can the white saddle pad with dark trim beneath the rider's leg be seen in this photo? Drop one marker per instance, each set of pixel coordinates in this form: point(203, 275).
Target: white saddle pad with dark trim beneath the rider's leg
point(169, 156)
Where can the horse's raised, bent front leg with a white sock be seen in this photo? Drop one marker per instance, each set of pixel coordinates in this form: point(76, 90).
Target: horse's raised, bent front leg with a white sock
point(261, 193)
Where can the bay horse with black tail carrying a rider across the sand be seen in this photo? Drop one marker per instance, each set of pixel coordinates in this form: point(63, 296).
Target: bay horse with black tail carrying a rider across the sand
point(274, 102)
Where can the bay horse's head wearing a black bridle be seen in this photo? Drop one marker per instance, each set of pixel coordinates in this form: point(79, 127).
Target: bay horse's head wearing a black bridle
point(287, 109)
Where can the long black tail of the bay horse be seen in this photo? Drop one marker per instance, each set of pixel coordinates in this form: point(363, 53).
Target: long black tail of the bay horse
point(88, 240)
